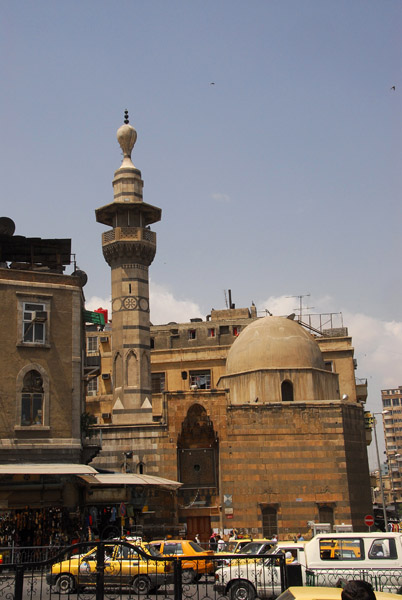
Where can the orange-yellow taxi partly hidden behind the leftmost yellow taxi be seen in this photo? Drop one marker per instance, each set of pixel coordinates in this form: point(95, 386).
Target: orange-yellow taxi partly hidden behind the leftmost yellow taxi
point(191, 569)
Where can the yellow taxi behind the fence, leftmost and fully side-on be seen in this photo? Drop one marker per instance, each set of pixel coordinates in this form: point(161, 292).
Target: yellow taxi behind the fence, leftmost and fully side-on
point(124, 567)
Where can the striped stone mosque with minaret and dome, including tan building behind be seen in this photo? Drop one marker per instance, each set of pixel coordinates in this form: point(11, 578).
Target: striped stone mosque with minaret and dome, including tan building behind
point(260, 418)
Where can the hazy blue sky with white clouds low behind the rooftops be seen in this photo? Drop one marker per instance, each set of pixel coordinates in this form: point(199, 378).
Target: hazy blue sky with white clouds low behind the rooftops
point(282, 178)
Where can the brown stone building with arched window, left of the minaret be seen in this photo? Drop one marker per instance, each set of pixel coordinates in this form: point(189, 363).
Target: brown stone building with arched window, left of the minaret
point(41, 386)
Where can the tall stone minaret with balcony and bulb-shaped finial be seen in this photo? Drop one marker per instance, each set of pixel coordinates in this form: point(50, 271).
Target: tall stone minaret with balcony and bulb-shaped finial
point(129, 248)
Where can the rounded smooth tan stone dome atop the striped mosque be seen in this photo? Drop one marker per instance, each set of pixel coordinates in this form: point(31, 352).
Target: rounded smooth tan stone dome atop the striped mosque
point(273, 343)
